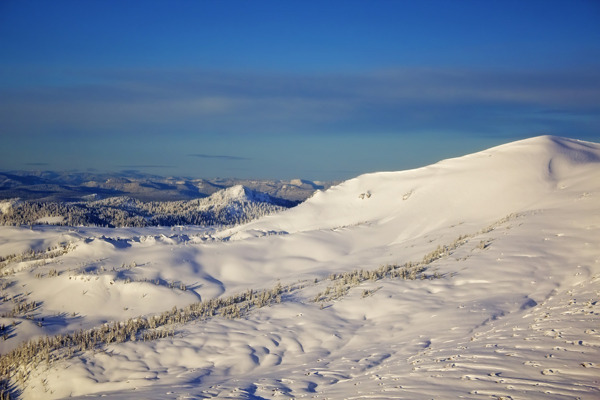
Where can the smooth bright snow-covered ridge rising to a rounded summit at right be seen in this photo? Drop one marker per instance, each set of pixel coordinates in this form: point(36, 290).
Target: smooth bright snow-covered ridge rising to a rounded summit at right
point(480, 186)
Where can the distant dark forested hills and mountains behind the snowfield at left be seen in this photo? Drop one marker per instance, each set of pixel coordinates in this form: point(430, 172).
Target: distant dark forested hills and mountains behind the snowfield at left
point(133, 199)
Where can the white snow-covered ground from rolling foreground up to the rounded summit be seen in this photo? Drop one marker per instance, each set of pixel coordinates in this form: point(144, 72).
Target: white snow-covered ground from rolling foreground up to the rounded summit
point(509, 309)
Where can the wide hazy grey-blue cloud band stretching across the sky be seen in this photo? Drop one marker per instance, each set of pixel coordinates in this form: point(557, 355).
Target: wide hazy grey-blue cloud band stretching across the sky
point(234, 103)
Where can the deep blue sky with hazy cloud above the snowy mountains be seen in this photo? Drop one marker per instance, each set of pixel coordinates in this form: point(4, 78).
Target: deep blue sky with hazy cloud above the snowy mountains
point(284, 89)
